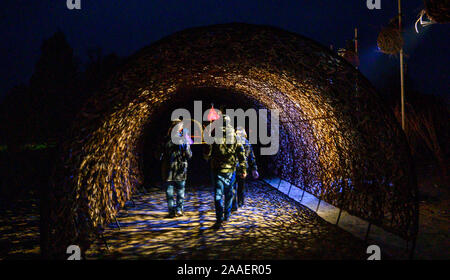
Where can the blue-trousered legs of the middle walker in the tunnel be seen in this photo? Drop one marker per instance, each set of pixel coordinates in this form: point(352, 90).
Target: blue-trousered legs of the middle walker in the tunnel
point(223, 194)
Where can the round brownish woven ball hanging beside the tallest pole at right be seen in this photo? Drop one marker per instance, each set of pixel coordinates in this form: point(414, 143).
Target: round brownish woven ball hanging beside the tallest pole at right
point(390, 40)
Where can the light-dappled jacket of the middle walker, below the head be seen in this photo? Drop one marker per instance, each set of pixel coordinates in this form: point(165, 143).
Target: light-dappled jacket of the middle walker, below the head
point(225, 158)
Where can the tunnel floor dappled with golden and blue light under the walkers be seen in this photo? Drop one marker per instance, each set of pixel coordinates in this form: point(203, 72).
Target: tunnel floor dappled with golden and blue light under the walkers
point(269, 226)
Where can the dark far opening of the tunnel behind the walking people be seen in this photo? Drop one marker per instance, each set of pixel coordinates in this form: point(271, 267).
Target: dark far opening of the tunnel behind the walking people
point(205, 97)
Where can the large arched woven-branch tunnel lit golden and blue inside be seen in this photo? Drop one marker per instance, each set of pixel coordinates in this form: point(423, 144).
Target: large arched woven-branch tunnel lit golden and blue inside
point(337, 138)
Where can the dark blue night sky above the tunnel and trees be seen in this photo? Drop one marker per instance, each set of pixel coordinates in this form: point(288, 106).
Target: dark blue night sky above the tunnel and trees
point(124, 26)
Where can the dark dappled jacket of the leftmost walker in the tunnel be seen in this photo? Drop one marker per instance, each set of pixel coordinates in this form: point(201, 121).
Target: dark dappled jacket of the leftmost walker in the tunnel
point(174, 161)
